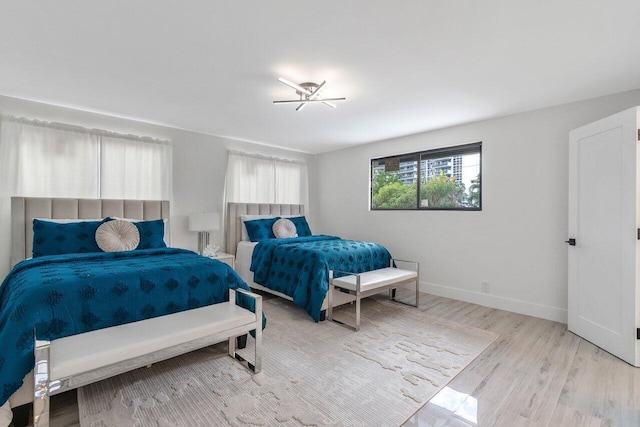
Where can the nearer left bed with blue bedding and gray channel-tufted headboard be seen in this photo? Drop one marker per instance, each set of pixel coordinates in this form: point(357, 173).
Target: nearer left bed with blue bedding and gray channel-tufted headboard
point(53, 296)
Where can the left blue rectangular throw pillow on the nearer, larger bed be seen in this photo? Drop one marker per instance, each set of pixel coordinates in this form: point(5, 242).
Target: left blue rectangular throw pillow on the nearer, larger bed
point(55, 238)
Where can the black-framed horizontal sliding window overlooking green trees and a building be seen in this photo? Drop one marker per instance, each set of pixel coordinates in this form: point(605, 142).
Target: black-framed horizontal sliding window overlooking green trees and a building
point(447, 178)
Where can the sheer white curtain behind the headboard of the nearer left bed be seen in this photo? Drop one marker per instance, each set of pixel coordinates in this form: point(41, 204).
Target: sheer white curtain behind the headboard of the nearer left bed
point(40, 159)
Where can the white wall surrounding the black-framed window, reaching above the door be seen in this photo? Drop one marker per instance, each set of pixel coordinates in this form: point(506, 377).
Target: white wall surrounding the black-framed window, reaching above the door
point(516, 242)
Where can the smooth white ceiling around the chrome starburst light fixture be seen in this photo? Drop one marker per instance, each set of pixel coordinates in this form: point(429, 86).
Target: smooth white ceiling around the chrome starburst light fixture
point(404, 66)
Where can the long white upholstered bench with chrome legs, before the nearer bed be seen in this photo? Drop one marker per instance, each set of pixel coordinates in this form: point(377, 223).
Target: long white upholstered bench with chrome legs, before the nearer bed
point(78, 360)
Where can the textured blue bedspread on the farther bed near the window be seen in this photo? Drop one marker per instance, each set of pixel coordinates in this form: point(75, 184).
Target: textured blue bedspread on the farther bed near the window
point(299, 267)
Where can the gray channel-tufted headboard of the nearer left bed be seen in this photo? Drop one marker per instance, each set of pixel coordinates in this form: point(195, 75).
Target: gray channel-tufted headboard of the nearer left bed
point(25, 209)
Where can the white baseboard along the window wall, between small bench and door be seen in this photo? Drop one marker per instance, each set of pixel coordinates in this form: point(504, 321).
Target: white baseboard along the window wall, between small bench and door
point(517, 306)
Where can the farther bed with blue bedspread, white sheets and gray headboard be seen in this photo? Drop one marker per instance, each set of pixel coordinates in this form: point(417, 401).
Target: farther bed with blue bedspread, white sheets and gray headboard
point(298, 268)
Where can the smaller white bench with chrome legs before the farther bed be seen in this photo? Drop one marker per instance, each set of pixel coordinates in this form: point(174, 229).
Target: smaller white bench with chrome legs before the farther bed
point(373, 282)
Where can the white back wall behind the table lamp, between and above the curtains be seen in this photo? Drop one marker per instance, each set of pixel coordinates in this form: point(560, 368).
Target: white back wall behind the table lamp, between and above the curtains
point(199, 161)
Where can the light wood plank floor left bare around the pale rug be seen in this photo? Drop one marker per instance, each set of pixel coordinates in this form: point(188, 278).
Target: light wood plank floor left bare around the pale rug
point(535, 374)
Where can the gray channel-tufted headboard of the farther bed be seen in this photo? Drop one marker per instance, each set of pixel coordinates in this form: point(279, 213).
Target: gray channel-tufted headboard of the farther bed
point(234, 223)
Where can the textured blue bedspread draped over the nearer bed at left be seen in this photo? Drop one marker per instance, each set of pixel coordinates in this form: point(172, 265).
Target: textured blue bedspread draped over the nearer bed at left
point(65, 295)
